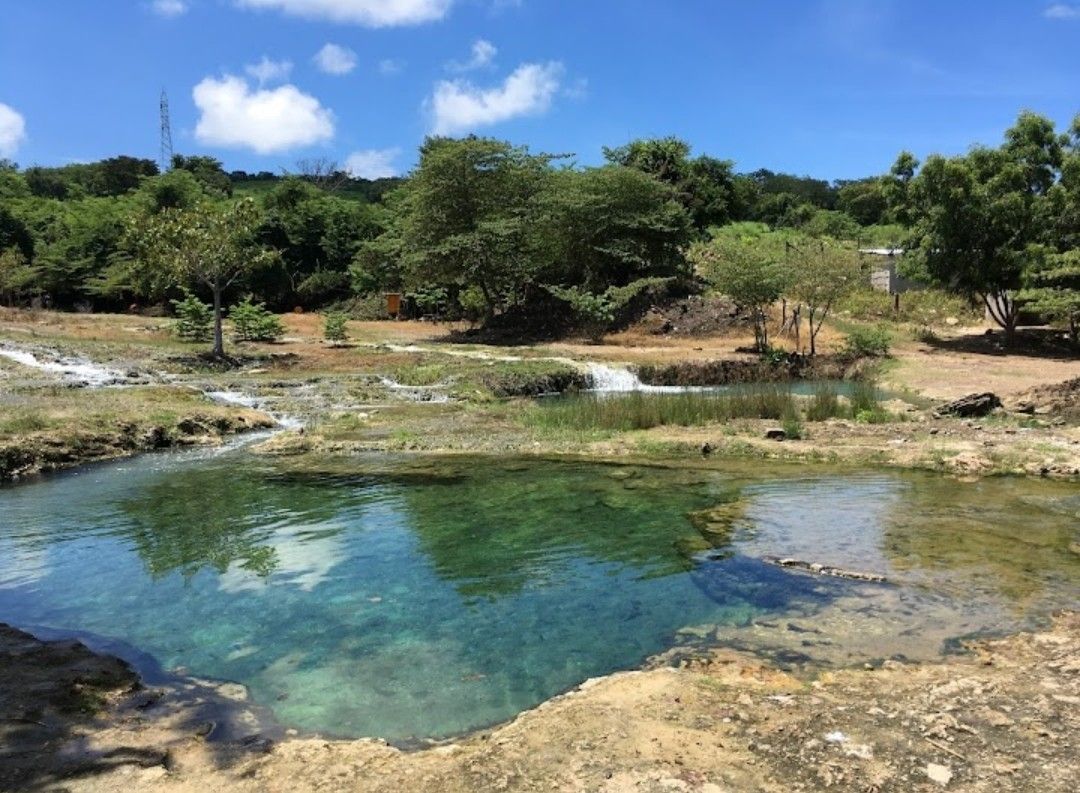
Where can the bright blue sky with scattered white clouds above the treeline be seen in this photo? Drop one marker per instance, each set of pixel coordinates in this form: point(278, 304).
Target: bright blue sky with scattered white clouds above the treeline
point(828, 88)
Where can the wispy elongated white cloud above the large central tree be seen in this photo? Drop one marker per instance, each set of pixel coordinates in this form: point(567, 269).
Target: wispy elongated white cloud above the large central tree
point(460, 106)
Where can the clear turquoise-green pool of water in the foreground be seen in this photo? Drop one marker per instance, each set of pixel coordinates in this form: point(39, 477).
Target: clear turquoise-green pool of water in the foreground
point(425, 600)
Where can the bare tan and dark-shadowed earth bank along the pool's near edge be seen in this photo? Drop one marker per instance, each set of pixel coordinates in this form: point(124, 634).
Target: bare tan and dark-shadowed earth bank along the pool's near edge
point(1003, 716)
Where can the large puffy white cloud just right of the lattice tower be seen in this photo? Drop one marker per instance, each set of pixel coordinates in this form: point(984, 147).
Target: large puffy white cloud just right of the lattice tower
point(265, 122)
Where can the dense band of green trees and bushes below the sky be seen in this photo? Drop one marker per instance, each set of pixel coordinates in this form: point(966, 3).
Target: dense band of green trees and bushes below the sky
point(491, 232)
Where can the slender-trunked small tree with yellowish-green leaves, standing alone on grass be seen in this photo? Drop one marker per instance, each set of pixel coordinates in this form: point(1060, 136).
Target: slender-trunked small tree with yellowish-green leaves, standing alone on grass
point(208, 246)
